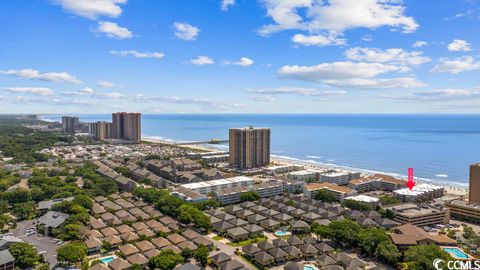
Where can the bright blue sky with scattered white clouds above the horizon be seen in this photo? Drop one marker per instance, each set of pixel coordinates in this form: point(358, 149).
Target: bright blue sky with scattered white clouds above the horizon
point(240, 56)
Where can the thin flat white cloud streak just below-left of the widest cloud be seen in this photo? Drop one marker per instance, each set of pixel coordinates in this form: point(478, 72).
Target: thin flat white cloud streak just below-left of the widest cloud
point(301, 91)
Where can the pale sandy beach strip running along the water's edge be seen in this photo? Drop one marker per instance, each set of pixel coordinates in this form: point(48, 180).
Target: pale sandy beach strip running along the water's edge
point(456, 189)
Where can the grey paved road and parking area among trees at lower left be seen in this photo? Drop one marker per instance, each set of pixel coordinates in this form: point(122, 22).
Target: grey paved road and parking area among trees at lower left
point(42, 243)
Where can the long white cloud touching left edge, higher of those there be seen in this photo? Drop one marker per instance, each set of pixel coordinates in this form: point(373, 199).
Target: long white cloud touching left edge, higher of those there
point(32, 74)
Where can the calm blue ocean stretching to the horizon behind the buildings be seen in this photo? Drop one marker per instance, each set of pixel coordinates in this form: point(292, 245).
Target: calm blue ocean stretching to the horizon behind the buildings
point(440, 148)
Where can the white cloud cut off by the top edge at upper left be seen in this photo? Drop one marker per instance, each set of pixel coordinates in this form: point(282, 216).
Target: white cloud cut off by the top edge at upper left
point(92, 8)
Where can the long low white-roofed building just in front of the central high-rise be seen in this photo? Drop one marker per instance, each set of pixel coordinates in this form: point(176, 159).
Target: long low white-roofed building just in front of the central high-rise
point(215, 186)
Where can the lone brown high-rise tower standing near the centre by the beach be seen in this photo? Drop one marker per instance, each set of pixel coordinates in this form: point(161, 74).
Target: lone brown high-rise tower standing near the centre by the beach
point(249, 147)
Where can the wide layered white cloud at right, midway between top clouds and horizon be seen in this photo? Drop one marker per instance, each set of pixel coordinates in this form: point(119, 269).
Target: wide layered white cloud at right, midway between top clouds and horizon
point(350, 74)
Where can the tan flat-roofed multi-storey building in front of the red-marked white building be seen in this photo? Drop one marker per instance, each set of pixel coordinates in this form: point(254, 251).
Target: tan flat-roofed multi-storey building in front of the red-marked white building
point(420, 215)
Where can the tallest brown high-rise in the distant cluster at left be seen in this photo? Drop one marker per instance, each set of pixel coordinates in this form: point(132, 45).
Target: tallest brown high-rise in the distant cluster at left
point(126, 126)
